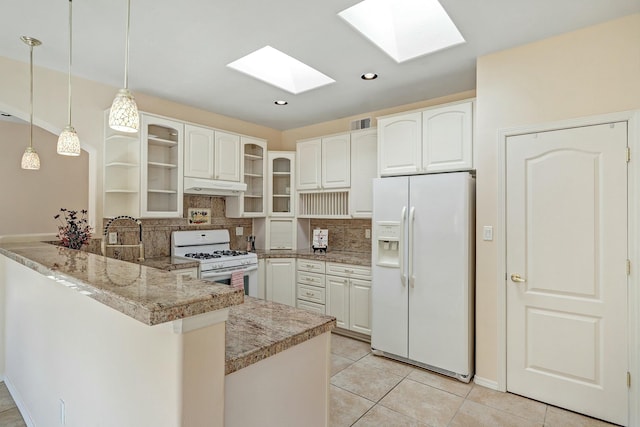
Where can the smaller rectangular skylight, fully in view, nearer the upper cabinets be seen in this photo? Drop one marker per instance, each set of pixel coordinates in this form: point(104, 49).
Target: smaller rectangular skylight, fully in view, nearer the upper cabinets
point(280, 70)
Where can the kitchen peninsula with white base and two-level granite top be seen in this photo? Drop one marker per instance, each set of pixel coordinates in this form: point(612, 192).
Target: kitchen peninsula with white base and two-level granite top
point(89, 339)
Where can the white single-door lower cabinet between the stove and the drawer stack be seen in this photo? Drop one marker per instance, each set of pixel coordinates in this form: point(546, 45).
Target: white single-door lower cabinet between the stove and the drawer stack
point(280, 280)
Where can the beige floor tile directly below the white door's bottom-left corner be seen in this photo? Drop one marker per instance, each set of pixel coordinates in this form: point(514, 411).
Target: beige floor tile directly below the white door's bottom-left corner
point(507, 402)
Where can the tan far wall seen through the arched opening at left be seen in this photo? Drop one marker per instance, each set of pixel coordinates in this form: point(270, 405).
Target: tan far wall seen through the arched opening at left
point(30, 199)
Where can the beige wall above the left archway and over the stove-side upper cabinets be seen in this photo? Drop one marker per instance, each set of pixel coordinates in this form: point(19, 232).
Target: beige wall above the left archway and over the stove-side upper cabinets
point(90, 100)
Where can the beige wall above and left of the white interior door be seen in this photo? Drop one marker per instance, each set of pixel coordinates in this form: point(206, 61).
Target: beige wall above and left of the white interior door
point(592, 71)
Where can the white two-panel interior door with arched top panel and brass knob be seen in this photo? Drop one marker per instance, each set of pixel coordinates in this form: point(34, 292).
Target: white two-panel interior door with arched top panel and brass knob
point(567, 240)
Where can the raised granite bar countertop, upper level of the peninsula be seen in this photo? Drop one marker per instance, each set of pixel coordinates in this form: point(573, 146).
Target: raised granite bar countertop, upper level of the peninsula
point(146, 294)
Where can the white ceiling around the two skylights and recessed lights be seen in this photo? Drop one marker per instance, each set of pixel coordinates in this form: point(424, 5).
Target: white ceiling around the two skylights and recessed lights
point(179, 49)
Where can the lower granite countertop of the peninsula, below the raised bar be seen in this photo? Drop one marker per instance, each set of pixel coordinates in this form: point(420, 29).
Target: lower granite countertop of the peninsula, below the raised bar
point(259, 329)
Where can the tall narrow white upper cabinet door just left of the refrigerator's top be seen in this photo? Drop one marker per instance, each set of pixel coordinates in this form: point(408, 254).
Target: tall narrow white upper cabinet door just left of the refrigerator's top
point(363, 170)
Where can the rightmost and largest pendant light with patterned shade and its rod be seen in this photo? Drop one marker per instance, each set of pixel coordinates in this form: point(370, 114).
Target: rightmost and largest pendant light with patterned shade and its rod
point(123, 116)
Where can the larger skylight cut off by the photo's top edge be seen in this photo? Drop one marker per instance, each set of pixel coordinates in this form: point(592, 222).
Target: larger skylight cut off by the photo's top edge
point(404, 29)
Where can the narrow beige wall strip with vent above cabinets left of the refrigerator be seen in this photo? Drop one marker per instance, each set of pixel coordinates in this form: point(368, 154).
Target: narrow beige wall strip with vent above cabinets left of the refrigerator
point(289, 137)
